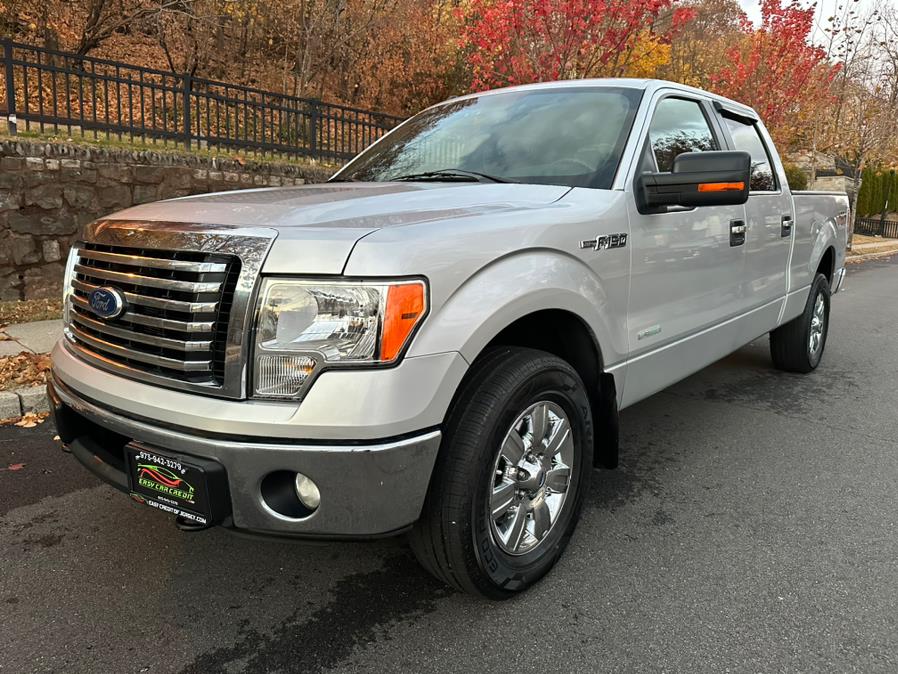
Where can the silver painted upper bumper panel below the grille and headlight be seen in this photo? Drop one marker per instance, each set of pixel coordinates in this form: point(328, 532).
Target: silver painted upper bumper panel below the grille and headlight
point(345, 404)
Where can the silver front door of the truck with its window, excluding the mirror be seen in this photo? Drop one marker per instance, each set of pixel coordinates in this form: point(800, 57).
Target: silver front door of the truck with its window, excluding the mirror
point(687, 264)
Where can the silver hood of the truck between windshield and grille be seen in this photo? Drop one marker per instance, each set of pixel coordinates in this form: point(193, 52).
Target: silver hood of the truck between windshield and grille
point(318, 225)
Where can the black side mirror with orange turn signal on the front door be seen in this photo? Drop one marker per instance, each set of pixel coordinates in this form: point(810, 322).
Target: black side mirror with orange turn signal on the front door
point(719, 178)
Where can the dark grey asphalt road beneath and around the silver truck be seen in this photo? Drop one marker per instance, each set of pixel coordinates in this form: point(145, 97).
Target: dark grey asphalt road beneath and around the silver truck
point(751, 527)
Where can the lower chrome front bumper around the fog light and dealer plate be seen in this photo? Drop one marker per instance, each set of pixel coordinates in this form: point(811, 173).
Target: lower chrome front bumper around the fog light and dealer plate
point(367, 489)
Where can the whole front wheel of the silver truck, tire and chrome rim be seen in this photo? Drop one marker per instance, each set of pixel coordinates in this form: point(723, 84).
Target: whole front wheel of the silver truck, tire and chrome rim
point(513, 467)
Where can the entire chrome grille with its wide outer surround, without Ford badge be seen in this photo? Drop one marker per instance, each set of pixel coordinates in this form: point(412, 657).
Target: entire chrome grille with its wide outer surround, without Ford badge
point(189, 293)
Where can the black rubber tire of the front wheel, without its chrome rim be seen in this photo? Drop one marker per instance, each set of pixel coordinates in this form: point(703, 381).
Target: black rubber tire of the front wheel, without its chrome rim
point(454, 538)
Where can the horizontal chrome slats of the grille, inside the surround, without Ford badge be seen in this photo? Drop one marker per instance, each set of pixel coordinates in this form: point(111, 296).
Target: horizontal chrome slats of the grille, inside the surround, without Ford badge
point(178, 305)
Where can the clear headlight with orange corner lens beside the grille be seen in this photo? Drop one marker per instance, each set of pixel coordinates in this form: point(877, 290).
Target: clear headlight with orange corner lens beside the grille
point(304, 326)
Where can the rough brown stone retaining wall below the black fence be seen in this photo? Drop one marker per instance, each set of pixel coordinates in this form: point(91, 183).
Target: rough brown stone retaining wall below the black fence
point(49, 190)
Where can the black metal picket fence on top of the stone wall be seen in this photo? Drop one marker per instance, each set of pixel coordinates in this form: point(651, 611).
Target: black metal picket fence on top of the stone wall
point(50, 89)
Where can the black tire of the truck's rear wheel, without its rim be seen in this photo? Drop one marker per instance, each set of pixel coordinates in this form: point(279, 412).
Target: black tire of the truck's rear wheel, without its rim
point(790, 344)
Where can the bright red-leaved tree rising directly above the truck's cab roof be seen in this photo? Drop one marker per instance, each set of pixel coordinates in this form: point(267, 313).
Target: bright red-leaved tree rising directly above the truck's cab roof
point(520, 41)
